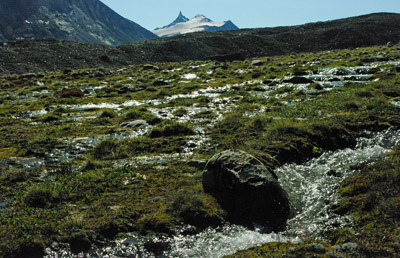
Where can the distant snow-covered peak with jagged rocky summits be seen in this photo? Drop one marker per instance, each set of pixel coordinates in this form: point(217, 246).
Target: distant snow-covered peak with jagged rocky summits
point(183, 25)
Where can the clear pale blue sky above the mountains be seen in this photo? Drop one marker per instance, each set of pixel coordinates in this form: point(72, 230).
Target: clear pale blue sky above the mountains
point(248, 13)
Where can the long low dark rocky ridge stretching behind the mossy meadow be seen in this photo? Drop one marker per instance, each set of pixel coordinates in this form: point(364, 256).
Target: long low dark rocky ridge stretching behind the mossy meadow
point(50, 55)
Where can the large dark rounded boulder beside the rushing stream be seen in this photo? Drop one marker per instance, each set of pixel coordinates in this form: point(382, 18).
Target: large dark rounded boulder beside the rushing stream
point(246, 189)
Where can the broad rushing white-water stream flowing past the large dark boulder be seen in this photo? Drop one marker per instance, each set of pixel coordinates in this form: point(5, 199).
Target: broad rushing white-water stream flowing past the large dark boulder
point(311, 187)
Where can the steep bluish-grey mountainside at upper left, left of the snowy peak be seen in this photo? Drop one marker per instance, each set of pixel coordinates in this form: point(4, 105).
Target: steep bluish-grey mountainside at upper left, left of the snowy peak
point(87, 21)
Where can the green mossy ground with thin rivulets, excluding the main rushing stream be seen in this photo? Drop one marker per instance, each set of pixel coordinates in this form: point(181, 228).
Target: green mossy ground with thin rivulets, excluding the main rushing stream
point(100, 193)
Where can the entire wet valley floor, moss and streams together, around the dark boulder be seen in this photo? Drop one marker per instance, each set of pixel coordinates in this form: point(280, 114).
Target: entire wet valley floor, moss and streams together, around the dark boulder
point(113, 157)
